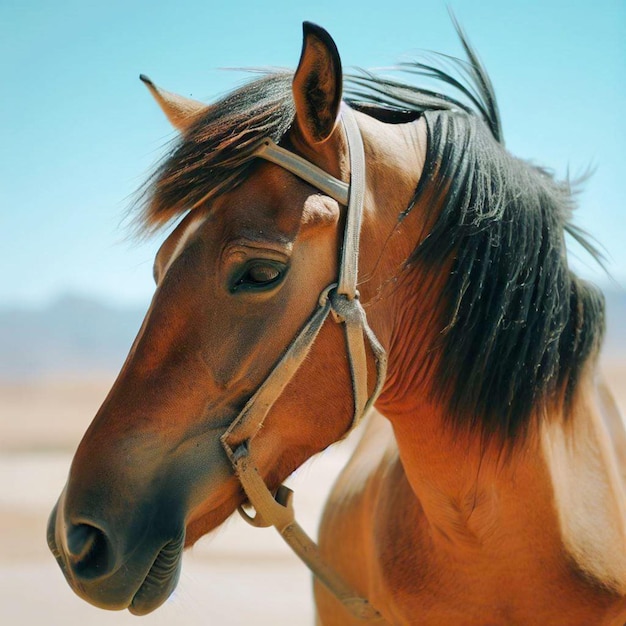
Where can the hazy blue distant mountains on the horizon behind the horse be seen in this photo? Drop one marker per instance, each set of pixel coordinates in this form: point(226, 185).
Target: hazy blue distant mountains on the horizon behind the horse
point(80, 336)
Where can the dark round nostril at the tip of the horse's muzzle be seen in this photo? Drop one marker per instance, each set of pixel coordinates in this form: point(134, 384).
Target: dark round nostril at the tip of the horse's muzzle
point(89, 550)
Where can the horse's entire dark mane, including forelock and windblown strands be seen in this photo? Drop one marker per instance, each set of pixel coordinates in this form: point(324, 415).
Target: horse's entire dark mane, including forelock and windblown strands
point(517, 325)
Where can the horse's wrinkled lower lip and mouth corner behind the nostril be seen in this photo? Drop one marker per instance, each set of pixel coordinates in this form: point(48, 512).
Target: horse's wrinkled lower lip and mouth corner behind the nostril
point(161, 579)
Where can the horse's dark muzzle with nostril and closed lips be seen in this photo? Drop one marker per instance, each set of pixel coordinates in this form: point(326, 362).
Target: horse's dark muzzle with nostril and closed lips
point(138, 572)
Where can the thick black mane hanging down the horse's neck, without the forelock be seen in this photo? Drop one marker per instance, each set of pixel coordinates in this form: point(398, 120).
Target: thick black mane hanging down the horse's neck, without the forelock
point(518, 325)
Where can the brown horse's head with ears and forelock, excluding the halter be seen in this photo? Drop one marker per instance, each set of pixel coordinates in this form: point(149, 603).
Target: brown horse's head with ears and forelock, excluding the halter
point(236, 281)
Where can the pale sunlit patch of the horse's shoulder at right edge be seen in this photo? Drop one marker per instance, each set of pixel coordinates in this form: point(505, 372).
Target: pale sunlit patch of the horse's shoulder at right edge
point(587, 462)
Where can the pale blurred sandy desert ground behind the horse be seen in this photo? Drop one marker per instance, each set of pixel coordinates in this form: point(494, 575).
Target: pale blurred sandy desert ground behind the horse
point(237, 576)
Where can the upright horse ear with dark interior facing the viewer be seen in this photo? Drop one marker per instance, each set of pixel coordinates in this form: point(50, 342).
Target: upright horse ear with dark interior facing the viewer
point(317, 84)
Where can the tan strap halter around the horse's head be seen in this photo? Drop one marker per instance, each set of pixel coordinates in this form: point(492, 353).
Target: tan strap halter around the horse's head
point(341, 299)
